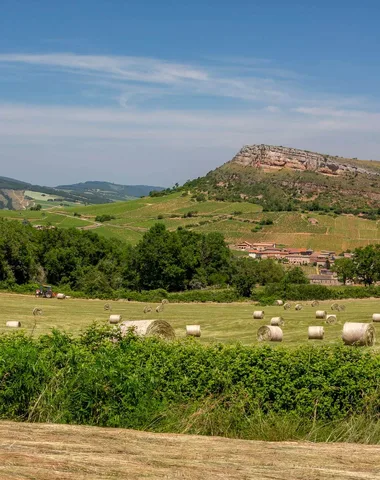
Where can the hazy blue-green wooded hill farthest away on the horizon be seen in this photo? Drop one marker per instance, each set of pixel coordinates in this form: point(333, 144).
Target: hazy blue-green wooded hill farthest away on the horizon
point(110, 191)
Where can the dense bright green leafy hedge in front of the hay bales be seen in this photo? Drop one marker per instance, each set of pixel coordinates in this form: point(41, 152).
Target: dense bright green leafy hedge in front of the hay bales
point(135, 382)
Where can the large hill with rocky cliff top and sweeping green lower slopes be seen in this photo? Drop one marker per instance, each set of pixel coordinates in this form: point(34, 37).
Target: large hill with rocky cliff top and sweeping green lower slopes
point(287, 196)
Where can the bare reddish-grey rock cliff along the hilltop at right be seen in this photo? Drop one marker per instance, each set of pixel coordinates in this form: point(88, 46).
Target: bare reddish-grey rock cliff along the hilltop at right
point(272, 158)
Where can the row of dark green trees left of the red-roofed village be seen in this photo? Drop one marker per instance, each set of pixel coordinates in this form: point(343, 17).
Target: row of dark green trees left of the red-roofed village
point(171, 260)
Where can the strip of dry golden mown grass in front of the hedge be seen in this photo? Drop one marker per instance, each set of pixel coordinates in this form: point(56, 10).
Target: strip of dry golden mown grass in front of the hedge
point(45, 452)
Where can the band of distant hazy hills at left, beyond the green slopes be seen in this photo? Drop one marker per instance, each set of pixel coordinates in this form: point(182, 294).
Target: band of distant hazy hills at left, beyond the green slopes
point(19, 195)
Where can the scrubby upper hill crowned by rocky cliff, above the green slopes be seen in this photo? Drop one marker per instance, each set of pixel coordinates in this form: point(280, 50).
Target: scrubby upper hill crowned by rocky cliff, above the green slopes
point(280, 178)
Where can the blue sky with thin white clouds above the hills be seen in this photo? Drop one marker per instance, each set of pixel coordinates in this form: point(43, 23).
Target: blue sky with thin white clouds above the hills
point(158, 92)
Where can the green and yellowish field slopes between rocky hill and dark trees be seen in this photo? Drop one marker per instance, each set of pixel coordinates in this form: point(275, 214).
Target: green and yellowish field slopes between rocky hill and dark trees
point(234, 220)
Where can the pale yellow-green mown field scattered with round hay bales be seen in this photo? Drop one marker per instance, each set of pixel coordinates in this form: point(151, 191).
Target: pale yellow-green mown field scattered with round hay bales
point(227, 323)
